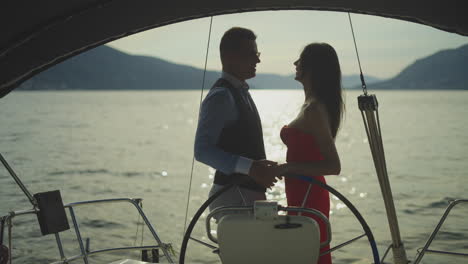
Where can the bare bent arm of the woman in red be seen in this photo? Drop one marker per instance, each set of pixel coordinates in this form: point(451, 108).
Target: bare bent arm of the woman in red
point(317, 124)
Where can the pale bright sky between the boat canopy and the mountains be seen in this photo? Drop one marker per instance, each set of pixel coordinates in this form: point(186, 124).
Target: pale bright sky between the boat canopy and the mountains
point(386, 46)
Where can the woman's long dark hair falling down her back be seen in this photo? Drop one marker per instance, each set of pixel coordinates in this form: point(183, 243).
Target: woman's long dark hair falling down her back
point(321, 62)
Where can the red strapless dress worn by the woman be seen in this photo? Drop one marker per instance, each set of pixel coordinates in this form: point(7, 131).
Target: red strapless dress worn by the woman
point(302, 147)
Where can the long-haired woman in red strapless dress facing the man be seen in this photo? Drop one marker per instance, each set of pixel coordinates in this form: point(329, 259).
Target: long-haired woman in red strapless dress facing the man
point(310, 137)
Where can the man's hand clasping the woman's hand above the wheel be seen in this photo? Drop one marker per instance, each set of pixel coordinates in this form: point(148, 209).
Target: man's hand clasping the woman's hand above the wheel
point(264, 172)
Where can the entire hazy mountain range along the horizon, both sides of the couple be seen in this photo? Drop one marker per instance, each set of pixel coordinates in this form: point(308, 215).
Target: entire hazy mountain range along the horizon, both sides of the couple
point(105, 68)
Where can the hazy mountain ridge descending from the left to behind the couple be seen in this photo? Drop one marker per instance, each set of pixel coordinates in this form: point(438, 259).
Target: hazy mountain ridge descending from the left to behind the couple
point(105, 68)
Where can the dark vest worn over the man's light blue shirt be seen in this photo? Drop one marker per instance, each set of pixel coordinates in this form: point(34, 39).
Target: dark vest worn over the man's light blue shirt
point(244, 137)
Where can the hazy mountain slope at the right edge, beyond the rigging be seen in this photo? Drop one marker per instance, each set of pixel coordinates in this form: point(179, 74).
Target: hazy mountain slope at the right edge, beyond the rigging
point(446, 69)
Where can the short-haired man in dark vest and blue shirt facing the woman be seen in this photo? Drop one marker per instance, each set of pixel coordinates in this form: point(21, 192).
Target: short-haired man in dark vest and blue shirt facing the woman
point(229, 133)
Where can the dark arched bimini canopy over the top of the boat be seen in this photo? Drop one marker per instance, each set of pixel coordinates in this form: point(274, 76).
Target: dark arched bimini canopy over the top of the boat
point(36, 35)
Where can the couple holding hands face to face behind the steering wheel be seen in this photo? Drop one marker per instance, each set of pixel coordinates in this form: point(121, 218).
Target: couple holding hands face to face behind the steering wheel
point(229, 134)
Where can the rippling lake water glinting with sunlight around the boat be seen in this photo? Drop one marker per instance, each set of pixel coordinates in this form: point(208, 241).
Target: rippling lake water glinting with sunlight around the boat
point(95, 145)
